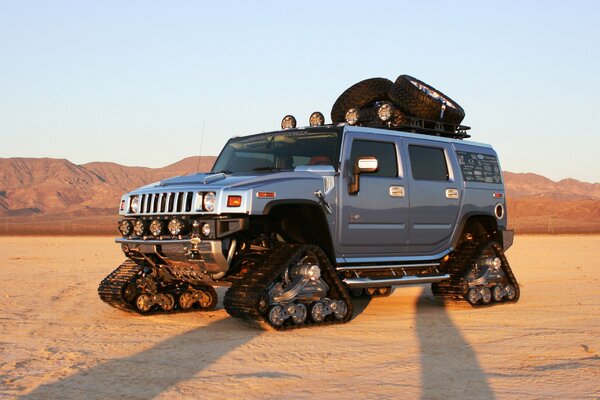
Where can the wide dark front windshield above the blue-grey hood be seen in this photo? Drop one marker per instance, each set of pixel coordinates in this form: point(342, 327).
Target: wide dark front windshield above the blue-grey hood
point(278, 151)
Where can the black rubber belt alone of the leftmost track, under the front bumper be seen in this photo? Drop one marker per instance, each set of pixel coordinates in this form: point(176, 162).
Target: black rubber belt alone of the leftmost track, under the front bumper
point(111, 289)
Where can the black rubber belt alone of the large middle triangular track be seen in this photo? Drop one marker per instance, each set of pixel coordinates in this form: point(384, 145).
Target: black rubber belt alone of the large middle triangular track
point(242, 298)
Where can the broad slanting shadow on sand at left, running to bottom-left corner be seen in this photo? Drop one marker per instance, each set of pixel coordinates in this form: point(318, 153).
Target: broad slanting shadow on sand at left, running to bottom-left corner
point(151, 372)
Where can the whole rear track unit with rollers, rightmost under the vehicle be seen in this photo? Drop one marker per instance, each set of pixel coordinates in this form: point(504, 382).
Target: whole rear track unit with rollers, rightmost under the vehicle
point(479, 273)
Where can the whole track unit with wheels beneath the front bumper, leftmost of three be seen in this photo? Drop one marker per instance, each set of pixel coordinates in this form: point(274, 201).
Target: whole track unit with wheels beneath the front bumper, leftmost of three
point(135, 288)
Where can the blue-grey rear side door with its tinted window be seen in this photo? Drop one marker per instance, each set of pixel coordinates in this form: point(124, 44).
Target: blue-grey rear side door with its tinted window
point(435, 195)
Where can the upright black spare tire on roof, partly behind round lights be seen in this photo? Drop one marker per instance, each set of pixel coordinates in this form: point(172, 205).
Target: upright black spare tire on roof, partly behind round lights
point(360, 95)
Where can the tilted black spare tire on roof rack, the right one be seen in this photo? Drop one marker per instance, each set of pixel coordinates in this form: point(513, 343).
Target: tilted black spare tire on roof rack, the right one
point(418, 99)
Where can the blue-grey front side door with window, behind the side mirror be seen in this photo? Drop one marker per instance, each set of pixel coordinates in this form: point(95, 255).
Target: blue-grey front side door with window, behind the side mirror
point(374, 221)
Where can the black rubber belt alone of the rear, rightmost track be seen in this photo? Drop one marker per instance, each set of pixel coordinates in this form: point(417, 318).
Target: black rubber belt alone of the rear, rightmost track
point(458, 266)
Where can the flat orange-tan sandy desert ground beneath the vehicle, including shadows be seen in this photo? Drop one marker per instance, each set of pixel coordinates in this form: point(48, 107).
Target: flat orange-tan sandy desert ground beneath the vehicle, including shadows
point(58, 340)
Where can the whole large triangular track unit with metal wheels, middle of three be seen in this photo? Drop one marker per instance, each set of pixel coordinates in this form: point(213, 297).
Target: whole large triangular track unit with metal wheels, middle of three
point(291, 287)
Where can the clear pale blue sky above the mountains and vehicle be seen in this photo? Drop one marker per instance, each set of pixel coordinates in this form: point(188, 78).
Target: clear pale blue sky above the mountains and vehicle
point(137, 82)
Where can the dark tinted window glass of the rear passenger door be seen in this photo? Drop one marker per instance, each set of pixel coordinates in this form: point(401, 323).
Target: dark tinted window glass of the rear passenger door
point(428, 163)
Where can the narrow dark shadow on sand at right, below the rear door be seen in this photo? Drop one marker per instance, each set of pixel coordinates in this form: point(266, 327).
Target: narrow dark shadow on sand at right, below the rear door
point(449, 365)
